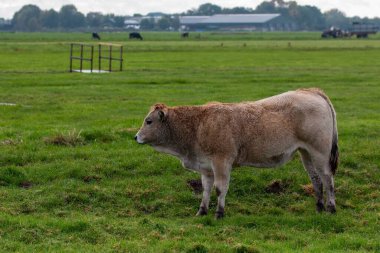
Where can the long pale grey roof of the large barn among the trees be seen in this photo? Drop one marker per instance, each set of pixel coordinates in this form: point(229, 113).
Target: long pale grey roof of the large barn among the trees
point(228, 19)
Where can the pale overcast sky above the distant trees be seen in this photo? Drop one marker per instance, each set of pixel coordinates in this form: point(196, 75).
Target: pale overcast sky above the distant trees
point(362, 8)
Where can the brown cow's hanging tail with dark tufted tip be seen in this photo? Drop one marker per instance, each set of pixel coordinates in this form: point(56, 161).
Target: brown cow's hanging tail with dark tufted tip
point(334, 153)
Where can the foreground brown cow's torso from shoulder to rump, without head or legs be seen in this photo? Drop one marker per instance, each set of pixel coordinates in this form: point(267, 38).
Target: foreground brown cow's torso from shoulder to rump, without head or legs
point(264, 132)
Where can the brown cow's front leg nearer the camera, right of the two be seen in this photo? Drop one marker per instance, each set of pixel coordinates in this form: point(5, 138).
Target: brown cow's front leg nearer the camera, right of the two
point(221, 169)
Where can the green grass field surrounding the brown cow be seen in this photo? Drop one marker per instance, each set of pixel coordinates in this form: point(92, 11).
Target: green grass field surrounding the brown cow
point(72, 179)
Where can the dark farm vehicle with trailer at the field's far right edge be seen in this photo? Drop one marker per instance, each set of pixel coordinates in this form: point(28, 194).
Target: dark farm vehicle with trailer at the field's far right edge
point(357, 29)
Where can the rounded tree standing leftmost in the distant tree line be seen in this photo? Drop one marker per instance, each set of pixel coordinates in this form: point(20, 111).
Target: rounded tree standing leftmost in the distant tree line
point(27, 18)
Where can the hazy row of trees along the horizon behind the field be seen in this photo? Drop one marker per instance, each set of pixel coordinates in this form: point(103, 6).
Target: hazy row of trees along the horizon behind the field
point(293, 17)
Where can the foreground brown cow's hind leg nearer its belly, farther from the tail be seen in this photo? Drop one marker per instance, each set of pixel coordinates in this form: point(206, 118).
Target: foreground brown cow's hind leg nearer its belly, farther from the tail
point(315, 180)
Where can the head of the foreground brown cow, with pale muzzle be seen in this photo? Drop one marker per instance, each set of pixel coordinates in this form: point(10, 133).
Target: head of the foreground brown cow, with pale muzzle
point(154, 129)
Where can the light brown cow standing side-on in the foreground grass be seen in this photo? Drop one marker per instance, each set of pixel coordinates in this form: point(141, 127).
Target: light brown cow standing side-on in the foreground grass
point(215, 137)
